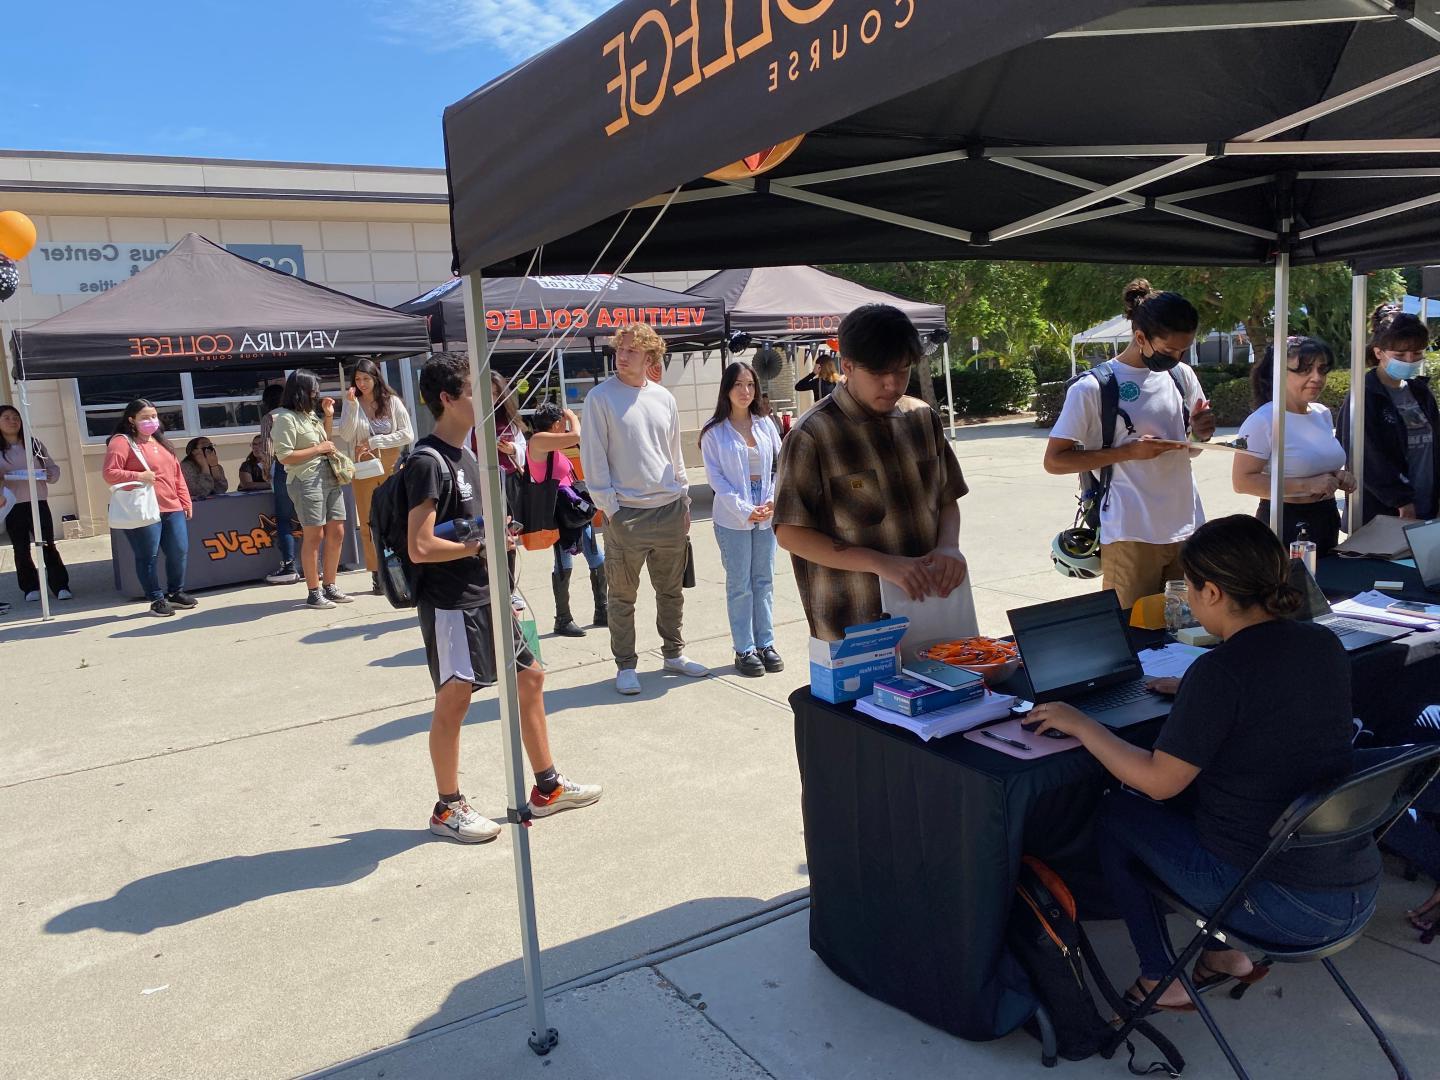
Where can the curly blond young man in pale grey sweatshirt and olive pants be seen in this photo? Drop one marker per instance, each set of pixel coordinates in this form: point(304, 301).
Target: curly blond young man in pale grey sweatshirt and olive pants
point(636, 470)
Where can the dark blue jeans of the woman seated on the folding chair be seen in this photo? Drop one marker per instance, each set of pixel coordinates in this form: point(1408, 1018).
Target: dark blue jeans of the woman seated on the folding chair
point(1134, 830)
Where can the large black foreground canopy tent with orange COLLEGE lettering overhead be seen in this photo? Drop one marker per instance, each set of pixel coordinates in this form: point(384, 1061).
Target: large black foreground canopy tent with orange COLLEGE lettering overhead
point(1252, 132)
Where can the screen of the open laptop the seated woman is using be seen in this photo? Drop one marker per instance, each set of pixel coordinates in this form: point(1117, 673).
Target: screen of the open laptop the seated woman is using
point(1078, 644)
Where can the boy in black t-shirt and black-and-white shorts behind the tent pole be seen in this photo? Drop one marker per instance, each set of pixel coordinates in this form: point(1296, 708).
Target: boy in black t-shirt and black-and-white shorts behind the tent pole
point(441, 486)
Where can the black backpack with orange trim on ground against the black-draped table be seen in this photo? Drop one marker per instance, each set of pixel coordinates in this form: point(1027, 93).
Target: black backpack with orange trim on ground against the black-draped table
point(1055, 951)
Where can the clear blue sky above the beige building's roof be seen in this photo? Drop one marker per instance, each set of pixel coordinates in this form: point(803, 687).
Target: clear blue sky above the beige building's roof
point(361, 83)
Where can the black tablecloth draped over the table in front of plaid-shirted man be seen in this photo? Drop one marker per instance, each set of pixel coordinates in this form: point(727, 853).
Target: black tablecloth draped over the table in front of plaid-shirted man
point(914, 847)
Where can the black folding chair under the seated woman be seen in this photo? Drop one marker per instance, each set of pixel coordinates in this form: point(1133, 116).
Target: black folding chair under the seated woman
point(1364, 804)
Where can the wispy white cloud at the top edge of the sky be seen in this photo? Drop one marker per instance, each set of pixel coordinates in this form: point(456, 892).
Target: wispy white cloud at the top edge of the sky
point(518, 28)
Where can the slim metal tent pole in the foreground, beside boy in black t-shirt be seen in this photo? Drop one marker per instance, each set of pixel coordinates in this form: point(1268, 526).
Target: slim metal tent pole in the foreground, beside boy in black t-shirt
point(503, 620)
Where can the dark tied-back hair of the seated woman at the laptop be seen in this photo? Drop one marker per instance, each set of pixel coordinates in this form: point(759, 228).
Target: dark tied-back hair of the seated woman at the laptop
point(1245, 561)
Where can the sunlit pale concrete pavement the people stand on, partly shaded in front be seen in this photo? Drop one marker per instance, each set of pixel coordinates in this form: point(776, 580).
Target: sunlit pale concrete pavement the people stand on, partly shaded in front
point(217, 860)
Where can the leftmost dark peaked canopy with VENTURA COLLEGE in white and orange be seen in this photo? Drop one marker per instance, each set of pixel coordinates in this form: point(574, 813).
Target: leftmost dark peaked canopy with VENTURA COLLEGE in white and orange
point(205, 307)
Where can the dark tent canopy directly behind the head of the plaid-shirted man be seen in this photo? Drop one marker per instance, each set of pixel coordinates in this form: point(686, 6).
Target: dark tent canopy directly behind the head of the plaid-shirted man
point(800, 302)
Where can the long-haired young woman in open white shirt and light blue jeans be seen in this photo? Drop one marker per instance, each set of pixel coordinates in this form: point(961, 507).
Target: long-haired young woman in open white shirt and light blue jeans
point(741, 446)
